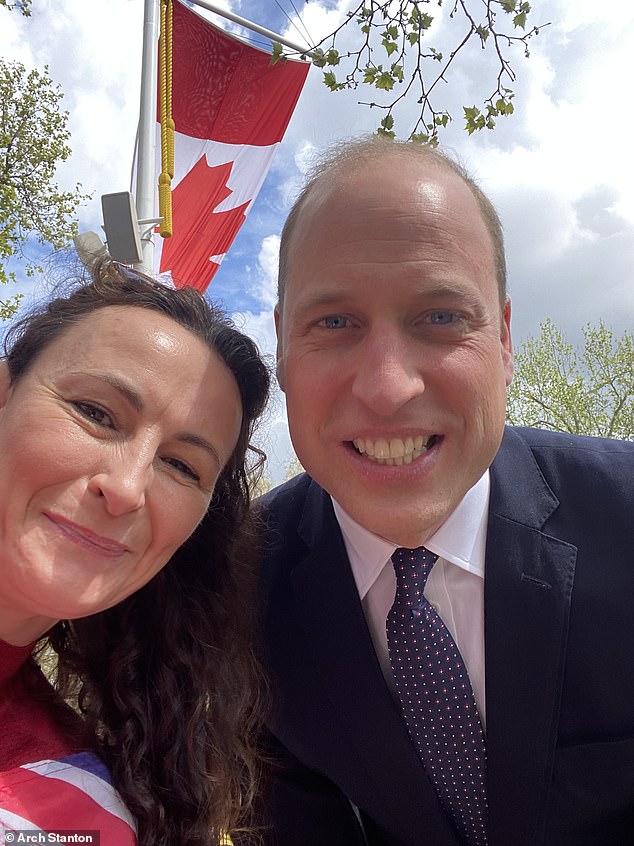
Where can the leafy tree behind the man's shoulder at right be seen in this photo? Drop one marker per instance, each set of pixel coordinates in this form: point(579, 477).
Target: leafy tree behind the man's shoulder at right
point(587, 391)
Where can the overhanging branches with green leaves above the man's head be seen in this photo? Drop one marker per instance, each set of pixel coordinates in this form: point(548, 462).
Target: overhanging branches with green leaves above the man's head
point(396, 57)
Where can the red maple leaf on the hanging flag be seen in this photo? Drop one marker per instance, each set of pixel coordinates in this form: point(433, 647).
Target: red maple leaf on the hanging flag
point(199, 231)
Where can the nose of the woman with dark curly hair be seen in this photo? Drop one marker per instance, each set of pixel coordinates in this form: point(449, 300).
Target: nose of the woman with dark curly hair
point(124, 482)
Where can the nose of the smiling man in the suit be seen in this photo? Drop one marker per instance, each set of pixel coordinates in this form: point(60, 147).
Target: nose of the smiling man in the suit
point(388, 373)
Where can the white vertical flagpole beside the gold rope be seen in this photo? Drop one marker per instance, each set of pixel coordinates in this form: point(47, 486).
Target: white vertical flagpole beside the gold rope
point(146, 156)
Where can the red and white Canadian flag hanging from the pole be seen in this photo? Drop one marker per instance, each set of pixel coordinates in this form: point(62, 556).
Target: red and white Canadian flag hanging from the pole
point(231, 107)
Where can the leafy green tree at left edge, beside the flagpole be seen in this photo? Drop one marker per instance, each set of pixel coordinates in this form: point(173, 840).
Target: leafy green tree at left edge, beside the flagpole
point(33, 141)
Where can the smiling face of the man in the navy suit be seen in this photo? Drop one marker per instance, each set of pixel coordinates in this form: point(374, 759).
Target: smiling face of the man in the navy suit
point(392, 349)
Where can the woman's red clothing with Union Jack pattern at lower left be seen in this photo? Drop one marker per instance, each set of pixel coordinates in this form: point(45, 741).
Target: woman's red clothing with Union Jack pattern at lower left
point(48, 781)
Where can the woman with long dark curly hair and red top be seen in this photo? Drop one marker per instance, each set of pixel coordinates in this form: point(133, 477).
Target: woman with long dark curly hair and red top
point(126, 414)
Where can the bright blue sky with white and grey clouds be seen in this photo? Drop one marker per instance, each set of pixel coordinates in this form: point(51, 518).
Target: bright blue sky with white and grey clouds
point(559, 170)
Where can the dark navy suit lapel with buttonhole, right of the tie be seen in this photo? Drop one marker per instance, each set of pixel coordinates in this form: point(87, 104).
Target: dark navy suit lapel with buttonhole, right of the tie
point(528, 585)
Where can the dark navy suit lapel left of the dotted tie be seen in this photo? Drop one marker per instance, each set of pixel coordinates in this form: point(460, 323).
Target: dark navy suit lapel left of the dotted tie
point(344, 656)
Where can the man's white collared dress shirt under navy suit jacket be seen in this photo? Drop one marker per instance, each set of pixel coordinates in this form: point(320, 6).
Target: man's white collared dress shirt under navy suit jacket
point(455, 586)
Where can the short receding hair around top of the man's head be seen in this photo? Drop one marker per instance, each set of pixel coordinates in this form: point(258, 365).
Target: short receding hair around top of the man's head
point(350, 158)
